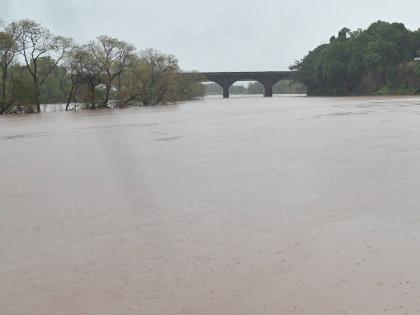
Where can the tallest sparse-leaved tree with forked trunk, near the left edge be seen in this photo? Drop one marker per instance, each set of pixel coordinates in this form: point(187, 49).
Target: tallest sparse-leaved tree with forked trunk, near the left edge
point(36, 42)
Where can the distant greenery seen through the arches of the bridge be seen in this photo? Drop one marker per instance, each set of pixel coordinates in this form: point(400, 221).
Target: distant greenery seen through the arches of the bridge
point(282, 87)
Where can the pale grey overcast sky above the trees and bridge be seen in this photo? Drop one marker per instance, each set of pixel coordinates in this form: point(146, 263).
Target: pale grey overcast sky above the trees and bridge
point(217, 35)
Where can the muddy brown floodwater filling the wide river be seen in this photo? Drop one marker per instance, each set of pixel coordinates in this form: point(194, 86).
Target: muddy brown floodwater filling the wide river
point(245, 206)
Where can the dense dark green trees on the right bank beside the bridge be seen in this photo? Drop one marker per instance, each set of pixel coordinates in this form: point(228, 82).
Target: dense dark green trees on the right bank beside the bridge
point(378, 60)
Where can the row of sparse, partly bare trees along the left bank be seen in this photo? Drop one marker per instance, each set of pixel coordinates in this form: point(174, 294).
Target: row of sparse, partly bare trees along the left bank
point(37, 67)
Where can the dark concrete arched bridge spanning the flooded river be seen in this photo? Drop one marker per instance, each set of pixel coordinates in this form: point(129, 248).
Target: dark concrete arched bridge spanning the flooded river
point(266, 78)
